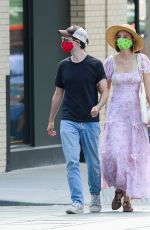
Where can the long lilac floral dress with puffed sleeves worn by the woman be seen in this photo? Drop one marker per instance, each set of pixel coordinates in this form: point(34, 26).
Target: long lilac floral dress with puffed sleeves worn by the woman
point(124, 147)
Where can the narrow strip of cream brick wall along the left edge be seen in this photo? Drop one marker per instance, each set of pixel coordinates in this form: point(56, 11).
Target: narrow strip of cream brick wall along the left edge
point(4, 70)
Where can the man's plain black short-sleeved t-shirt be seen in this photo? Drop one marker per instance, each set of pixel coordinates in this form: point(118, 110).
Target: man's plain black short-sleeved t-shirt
point(79, 82)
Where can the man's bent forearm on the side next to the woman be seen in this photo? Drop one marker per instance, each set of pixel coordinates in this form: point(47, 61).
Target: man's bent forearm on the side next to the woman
point(103, 90)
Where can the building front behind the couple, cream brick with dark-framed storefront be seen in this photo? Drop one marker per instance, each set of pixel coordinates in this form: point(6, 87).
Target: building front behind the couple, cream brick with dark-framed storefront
point(29, 54)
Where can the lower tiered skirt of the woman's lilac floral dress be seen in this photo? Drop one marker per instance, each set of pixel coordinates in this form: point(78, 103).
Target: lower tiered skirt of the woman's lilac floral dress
point(125, 158)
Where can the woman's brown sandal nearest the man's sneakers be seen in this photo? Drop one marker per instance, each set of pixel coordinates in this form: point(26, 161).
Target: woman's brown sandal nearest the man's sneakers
point(116, 203)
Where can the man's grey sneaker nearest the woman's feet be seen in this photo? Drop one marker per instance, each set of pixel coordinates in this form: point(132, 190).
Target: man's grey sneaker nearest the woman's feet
point(95, 205)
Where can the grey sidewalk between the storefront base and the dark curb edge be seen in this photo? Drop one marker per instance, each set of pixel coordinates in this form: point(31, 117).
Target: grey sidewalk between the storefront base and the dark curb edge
point(42, 185)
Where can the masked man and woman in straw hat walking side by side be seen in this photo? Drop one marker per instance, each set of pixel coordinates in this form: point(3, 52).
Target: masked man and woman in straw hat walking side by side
point(123, 150)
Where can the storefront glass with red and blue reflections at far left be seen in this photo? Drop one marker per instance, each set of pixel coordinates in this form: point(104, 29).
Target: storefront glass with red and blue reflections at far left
point(17, 116)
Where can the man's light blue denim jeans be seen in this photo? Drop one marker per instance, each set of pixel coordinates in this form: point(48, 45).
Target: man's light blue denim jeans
point(87, 133)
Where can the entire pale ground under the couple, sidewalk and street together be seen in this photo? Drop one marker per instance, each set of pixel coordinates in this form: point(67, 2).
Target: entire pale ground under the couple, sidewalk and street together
point(37, 198)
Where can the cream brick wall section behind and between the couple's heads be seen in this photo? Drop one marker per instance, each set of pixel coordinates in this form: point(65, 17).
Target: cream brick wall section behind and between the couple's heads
point(95, 16)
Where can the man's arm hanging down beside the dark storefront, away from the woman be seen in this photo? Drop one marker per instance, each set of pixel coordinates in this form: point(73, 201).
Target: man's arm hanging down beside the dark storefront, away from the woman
point(56, 102)
